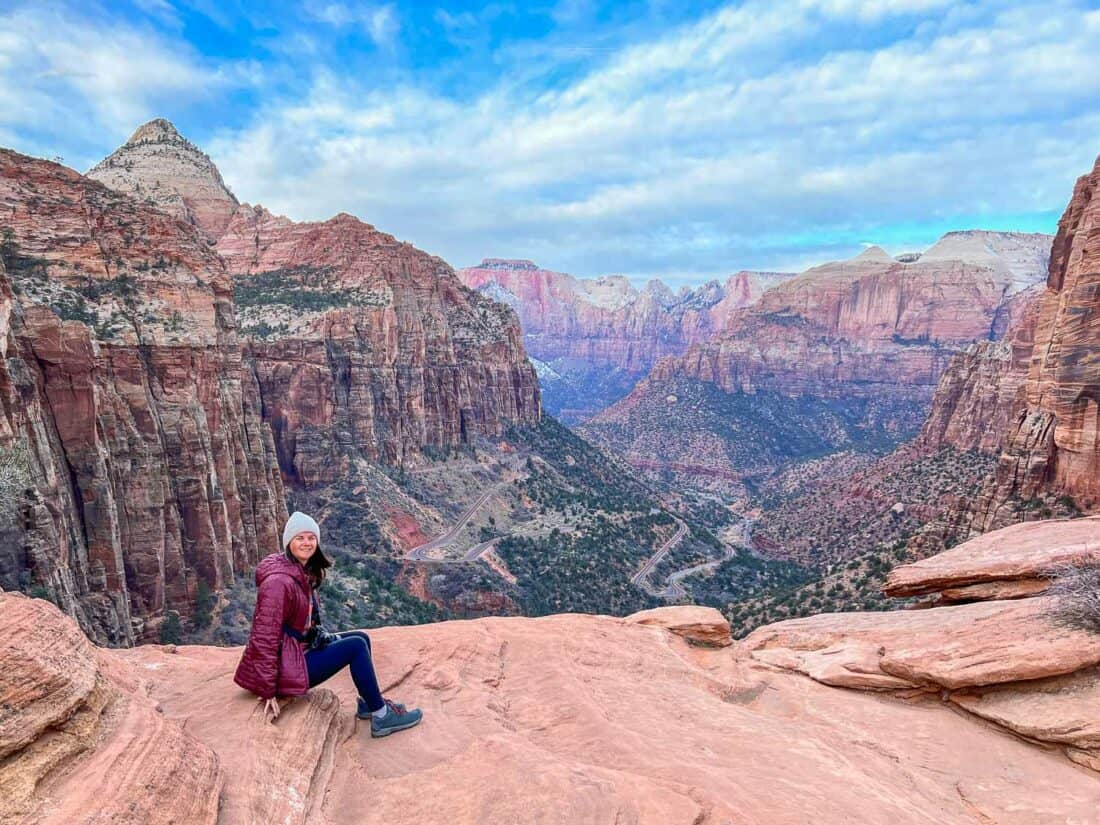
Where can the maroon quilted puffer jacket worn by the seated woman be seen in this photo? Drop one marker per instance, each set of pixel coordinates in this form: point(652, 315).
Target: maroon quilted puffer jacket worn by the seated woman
point(273, 664)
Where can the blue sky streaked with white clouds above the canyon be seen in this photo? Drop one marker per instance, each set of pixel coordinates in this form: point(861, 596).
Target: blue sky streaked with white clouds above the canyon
point(661, 138)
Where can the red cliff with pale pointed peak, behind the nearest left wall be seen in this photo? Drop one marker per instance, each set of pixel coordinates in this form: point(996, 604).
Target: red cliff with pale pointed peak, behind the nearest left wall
point(361, 345)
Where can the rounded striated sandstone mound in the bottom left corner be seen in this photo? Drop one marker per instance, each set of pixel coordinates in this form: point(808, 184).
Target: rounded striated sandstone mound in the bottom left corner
point(80, 740)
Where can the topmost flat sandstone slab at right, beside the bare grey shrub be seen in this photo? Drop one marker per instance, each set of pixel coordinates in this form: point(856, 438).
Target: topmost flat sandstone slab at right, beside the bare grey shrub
point(1018, 556)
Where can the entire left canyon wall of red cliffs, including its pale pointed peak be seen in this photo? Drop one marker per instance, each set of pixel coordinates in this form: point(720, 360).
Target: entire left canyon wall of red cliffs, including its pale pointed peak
point(160, 427)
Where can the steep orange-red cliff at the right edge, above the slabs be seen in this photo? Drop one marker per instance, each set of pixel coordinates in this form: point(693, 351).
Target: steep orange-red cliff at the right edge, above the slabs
point(1054, 445)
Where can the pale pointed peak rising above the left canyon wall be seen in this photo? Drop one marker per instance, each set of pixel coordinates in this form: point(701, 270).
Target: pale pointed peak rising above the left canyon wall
point(159, 166)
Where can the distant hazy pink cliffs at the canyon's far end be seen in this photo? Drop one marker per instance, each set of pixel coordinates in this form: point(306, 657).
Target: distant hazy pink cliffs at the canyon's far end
point(598, 336)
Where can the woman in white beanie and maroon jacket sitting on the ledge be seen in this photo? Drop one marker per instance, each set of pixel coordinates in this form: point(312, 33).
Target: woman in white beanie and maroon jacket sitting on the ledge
point(289, 653)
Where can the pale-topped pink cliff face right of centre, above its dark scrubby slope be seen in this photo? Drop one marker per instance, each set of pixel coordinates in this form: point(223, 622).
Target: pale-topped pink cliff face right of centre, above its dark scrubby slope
point(871, 326)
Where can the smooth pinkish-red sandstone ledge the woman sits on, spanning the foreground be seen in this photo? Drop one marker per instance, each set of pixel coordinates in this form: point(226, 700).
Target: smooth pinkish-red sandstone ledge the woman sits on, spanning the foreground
point(903, 720)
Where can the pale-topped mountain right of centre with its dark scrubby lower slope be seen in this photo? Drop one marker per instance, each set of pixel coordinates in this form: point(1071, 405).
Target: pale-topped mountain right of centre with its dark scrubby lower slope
point(853, 349)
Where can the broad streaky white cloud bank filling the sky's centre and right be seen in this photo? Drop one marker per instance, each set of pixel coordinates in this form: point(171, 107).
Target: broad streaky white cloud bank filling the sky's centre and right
point(689, 155)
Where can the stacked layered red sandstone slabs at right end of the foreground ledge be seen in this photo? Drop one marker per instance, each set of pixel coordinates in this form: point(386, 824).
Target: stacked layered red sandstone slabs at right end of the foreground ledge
point(1010, 663)
